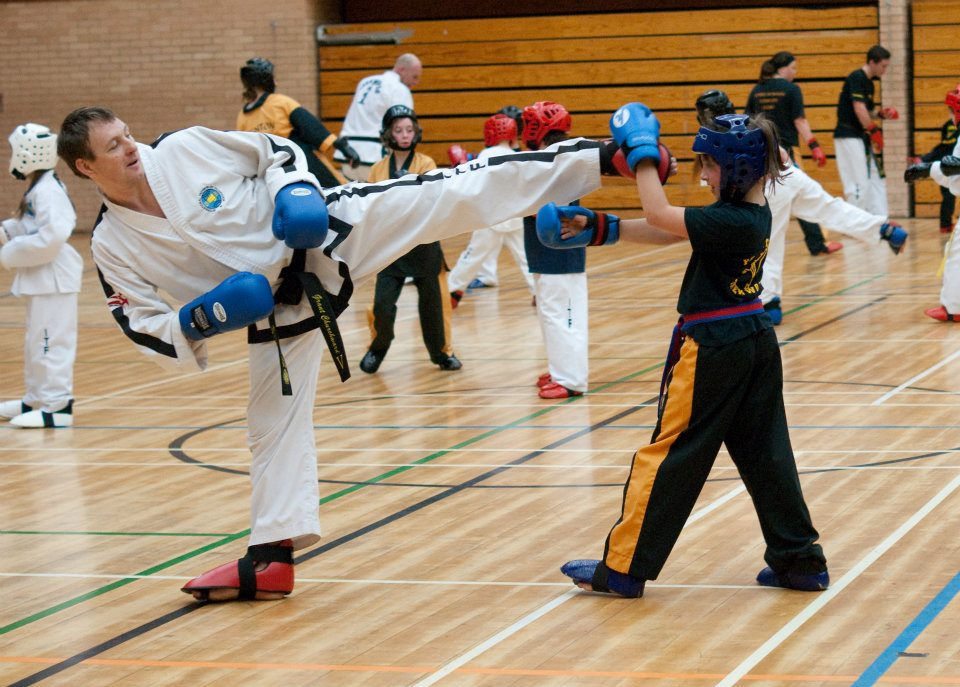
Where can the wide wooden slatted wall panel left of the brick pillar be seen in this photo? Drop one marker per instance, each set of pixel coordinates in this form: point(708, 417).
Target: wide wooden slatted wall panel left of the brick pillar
point(595, 63)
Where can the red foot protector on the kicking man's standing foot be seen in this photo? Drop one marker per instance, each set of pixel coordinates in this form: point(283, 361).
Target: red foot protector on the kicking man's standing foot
point(242, 575)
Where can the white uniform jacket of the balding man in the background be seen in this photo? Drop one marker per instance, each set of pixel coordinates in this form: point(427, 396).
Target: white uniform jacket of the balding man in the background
point(374, 95)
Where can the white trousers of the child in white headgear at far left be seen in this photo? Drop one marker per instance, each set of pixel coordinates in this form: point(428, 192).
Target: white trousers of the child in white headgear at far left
point(50, 348)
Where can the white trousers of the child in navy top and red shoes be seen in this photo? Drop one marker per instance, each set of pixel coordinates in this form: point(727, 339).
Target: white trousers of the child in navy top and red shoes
point(562, 311)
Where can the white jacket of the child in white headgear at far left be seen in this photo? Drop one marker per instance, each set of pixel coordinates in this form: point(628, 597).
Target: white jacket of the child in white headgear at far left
point(38, 248)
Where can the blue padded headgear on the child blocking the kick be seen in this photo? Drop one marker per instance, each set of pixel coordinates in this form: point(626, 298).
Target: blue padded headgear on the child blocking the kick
point(740, 152)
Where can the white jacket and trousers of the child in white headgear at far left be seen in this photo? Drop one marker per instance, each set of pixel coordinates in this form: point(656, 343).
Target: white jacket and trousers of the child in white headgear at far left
point(49, 272)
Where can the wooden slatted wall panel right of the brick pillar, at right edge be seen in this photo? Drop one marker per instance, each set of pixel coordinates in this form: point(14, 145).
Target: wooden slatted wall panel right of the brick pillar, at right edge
point(936, 70)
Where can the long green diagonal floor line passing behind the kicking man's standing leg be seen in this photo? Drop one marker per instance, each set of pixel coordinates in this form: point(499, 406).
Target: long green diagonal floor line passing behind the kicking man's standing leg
point(343, 492)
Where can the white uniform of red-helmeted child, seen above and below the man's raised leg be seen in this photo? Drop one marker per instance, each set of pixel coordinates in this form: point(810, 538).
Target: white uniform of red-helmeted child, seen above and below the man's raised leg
point(485, 244)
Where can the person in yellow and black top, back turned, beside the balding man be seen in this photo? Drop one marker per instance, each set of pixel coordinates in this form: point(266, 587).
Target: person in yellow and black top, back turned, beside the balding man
point(268, 112)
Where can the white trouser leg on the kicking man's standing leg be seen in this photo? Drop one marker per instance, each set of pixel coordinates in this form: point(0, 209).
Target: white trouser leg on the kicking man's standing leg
point(285, 496)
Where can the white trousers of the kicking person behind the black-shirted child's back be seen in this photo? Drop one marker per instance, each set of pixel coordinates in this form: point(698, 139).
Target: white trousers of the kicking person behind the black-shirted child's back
point(802, 197)
